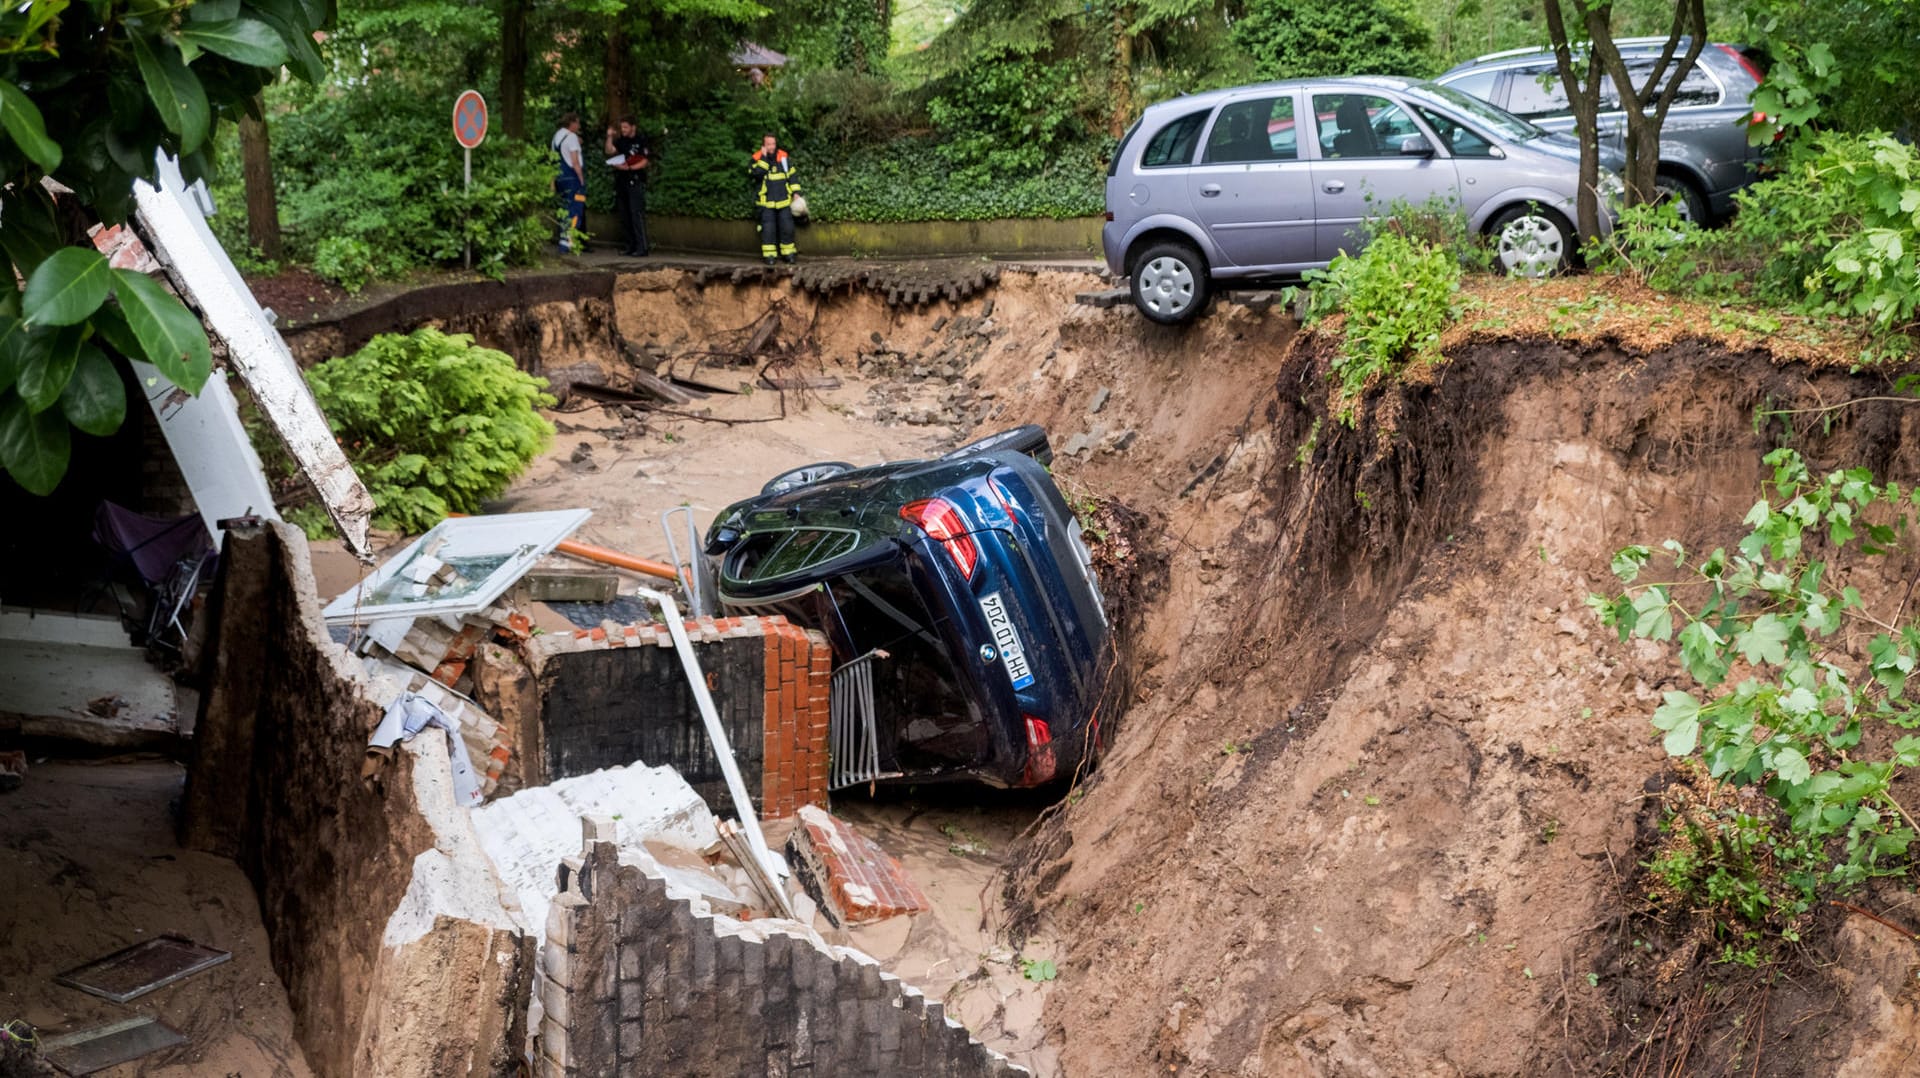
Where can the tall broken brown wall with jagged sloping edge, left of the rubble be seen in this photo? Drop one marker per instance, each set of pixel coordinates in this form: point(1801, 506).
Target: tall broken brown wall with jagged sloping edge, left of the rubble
point(381, 908)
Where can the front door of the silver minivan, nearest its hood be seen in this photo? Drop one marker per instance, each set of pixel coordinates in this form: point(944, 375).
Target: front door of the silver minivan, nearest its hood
point(1362, 172)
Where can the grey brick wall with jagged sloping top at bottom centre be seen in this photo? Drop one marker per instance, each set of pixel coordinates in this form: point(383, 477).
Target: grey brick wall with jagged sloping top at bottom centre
point(636, 983)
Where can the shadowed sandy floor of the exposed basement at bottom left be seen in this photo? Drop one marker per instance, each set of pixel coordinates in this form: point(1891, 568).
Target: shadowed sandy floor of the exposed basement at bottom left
point(91, 866)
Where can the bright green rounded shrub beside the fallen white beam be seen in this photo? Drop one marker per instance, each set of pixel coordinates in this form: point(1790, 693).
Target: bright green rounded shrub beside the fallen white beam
point(433, 424)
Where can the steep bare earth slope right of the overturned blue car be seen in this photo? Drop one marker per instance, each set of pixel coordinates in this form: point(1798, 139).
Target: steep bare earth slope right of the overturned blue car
point(1380, 804)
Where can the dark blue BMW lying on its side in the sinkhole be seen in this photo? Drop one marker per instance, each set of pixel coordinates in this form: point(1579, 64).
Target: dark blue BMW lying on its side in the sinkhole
point(969, 631)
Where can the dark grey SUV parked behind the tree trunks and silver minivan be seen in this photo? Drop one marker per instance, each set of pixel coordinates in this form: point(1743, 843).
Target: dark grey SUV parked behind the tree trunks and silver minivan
point(1704, 143)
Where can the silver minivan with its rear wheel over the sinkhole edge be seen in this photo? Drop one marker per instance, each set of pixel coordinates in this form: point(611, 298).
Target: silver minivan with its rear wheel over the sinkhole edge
point(1272, 182)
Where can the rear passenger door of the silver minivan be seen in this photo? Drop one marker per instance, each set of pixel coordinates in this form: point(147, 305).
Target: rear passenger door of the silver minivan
point(1253, 191)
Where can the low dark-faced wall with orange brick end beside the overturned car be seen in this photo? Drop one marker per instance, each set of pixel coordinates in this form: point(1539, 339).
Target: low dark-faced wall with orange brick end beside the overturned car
point(617, 695)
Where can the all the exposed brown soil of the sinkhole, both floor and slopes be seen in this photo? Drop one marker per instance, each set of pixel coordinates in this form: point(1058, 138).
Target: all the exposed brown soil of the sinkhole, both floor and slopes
point(1381, 796)
